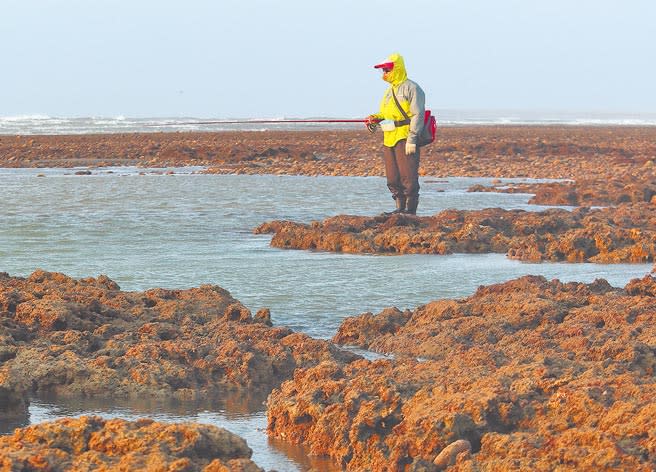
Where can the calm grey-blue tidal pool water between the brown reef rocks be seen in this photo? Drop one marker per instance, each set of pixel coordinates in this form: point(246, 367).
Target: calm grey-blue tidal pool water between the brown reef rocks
point(146, 228)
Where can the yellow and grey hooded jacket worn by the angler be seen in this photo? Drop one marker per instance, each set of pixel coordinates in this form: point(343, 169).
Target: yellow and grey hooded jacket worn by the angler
point(412, 100)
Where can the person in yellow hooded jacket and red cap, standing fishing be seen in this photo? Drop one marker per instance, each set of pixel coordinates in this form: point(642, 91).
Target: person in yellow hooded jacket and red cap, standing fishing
point(401, 153)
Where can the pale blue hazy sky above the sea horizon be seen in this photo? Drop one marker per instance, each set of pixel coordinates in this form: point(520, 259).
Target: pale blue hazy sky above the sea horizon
point(302, 58)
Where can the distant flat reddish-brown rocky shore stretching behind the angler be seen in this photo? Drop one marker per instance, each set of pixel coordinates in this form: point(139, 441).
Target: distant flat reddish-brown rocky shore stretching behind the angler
point(566, 152)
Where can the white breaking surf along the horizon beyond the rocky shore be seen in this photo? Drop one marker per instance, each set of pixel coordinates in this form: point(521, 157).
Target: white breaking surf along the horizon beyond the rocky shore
point(43, 124)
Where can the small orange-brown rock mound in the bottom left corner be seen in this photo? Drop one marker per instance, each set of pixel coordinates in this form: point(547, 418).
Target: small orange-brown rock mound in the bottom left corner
point(92, 443)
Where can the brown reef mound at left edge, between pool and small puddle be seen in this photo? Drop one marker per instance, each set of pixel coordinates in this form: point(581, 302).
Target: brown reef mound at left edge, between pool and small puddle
point(86, 337)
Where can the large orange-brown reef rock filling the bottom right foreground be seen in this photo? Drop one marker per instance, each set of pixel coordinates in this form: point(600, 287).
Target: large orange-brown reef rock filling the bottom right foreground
point(531, 374)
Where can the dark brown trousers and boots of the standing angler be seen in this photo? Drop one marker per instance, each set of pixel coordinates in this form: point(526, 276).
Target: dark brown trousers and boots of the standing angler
point(402, 177)
